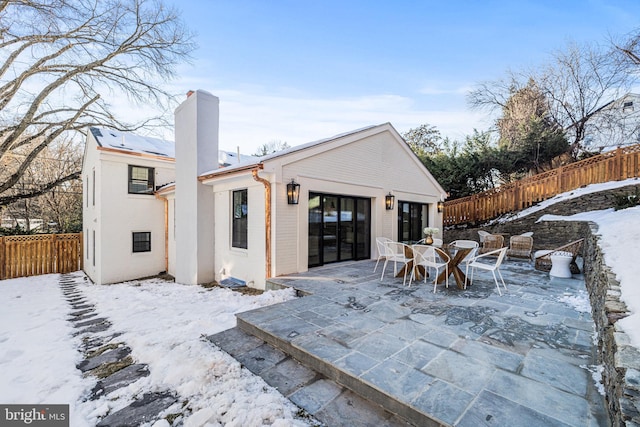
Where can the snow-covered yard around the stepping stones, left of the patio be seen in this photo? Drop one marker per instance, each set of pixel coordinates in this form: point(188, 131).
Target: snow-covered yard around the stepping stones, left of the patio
point(163, 323)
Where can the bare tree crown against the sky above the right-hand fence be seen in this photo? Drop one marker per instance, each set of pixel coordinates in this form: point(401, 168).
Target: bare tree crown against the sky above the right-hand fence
point(578, 83)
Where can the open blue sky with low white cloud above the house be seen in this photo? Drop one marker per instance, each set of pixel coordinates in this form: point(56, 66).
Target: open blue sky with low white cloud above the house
point(298, 71)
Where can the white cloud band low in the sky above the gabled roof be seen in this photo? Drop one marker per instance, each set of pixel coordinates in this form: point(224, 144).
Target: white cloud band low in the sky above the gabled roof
point(249, 119)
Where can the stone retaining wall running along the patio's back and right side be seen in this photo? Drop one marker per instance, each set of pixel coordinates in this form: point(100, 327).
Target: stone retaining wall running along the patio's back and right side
point(620, 360)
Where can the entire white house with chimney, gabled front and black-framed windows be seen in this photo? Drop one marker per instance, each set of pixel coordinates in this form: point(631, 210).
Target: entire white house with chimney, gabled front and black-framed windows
point(148, 209)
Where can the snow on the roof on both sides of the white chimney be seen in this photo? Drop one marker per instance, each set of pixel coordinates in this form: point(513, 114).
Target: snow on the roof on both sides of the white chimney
point(130, 142)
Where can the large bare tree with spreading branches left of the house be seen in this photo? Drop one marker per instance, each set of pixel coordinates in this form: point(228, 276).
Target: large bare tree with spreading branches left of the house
point(61, 61)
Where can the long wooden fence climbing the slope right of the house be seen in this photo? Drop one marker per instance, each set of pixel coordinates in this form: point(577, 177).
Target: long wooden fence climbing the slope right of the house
point(615, 165)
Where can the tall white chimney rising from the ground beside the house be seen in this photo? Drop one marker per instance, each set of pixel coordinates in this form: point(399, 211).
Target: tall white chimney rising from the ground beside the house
point(196, 136)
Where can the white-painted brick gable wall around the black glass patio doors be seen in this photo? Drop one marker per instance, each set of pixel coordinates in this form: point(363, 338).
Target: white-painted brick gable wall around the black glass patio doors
point(369, 165)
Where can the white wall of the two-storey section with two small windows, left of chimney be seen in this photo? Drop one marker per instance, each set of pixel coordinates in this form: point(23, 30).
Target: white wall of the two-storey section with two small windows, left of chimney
point(117, 214)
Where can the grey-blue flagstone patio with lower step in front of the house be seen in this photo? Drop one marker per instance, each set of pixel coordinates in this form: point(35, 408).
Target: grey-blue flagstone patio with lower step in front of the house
point(457, 357)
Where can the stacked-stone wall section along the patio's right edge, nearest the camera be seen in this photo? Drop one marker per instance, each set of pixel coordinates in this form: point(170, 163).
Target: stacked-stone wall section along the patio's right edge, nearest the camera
point(621, 361)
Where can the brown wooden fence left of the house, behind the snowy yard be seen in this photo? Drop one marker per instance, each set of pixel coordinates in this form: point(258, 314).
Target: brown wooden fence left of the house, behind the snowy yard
point(31, 255)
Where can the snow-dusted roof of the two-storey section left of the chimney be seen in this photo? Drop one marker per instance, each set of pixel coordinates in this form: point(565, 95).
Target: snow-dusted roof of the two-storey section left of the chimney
point(128, 141)
